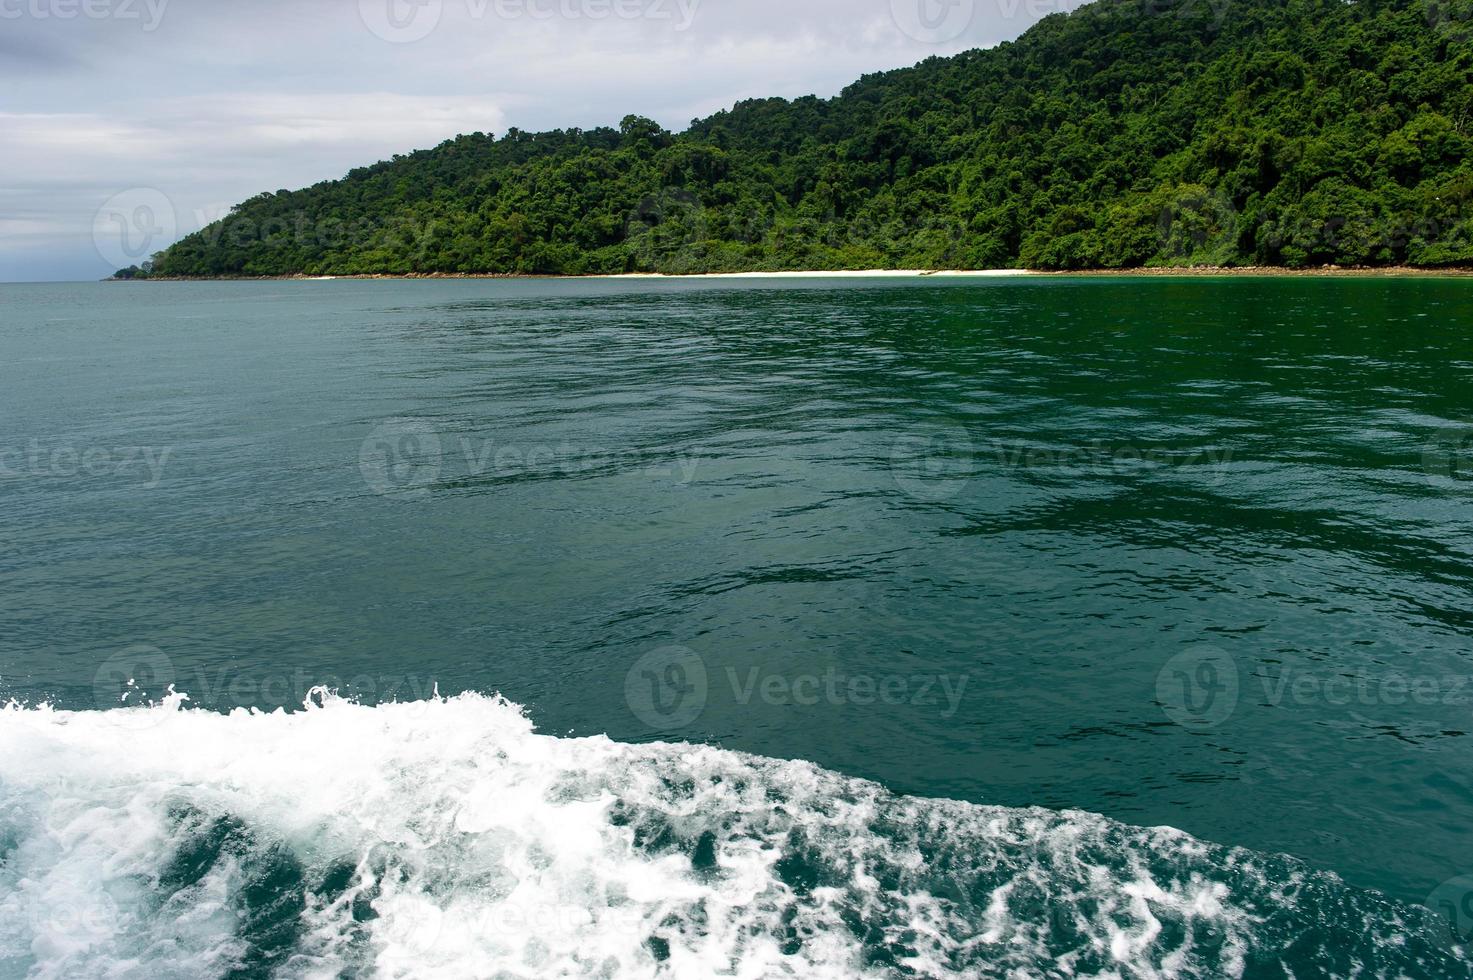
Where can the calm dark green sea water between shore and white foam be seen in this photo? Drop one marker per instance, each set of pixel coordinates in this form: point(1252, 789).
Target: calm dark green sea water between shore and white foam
point(1179, 552)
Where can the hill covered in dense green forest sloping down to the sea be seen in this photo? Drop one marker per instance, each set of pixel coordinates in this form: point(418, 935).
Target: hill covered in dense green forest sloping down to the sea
point(1129, 133)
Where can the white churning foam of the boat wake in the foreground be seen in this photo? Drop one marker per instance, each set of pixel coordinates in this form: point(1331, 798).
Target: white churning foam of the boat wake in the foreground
point(450, 839)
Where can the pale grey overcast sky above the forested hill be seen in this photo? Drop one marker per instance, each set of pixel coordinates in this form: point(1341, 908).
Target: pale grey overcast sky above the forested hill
point(189, 107)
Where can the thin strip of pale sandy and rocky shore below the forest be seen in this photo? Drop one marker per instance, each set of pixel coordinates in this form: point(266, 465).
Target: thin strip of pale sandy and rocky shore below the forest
point(1197, 272)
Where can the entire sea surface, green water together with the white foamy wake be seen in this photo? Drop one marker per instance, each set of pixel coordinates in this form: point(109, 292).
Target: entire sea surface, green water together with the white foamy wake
point(1061, 627)
